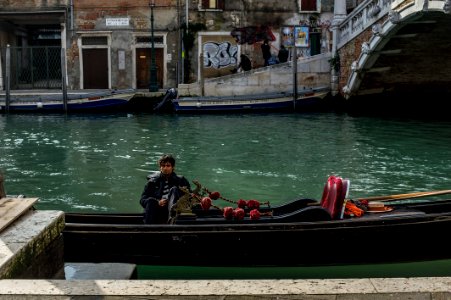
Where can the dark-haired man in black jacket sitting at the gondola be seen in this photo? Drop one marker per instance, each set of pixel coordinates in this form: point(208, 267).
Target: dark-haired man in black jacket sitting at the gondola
point(162, 191)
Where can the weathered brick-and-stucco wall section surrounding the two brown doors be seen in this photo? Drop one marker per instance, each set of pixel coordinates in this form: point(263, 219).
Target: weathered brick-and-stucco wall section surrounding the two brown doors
point(91, 17)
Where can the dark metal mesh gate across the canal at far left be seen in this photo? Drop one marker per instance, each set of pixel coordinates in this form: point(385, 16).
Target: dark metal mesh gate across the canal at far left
point(37, 67)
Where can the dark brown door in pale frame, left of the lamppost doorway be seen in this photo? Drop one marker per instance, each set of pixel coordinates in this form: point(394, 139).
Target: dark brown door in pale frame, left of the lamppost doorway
point(95, 68)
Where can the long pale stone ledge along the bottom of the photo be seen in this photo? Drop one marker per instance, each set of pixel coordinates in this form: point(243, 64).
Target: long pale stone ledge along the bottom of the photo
point(374, 288)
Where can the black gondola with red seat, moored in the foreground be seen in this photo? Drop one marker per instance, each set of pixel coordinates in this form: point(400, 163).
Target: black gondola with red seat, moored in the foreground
point(304, 232)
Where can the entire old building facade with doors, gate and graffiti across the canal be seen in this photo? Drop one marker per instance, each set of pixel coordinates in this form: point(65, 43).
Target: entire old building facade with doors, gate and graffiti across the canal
point(108, 44)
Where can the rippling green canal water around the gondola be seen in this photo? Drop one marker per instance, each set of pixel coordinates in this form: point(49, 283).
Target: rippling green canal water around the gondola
point(98, 163)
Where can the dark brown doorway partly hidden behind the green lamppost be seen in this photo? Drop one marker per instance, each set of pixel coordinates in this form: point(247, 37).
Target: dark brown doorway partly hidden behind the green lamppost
point(143, 58)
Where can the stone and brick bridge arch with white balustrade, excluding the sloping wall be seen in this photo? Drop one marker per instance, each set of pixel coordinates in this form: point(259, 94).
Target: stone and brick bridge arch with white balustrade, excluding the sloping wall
point(395, 48)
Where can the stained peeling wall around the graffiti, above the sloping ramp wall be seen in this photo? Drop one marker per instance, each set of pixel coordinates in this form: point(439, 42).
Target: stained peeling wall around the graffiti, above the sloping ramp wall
point(244, 14)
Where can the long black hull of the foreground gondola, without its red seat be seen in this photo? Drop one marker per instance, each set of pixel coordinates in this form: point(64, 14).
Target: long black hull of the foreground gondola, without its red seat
point(406, 234)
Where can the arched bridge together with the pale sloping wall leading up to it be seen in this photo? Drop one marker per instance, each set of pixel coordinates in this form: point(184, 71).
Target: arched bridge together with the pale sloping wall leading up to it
point(382, 50)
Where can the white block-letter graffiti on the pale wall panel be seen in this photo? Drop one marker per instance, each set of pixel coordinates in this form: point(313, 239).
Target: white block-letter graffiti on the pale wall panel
point(219, 55)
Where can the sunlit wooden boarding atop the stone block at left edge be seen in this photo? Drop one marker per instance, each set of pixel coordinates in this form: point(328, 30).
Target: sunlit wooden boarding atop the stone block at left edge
point(12, 208)
